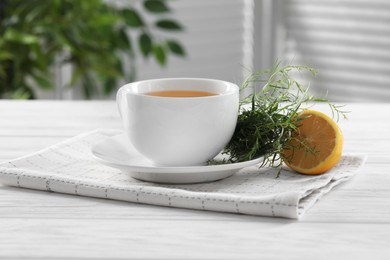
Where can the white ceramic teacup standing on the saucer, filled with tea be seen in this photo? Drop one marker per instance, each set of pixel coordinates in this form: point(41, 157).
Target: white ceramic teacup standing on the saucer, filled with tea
point(185, 131)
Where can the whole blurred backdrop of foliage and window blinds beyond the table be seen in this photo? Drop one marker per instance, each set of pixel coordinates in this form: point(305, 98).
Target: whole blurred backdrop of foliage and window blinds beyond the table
point(67, 49)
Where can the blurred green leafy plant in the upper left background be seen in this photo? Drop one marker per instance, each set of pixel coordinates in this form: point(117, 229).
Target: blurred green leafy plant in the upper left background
point(91, 35)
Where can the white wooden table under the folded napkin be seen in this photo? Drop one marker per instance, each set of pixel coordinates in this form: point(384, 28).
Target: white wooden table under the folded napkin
point(351, 222)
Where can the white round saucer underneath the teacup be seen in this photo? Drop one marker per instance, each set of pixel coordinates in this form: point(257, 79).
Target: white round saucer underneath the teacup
point(117, 152)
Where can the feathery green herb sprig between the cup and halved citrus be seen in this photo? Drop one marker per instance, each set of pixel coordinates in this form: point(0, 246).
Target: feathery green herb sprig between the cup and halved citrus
point(268, 115)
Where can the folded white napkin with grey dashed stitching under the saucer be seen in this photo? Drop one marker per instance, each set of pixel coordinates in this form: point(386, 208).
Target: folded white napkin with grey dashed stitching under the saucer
point(69, 167)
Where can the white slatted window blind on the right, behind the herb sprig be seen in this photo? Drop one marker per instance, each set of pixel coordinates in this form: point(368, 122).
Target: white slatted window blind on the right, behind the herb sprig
point(347, 41)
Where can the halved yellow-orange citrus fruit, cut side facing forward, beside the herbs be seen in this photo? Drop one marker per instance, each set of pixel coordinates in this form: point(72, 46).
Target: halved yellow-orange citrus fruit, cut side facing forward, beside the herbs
point(317, 145)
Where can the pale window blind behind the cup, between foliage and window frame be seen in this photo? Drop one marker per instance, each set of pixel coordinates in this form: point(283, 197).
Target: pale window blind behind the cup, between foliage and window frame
point(218, 39)
